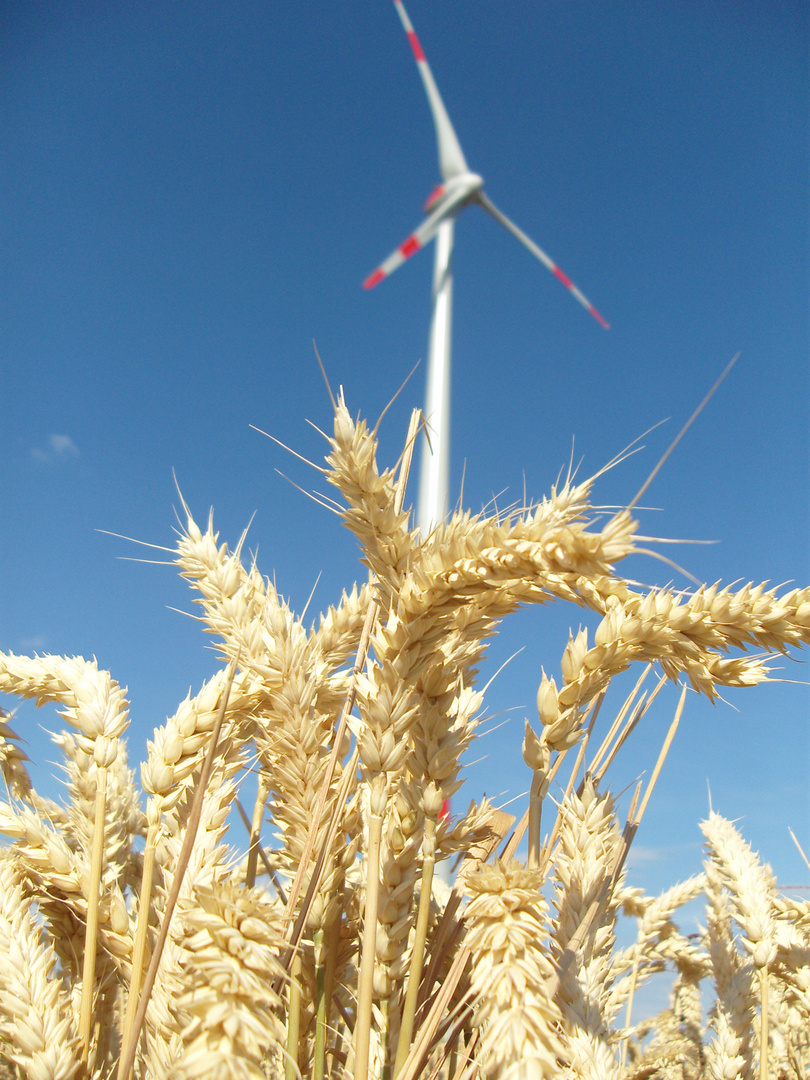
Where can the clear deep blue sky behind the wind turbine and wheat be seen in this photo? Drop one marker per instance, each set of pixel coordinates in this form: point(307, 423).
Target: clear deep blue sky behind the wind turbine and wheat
point(194, 193)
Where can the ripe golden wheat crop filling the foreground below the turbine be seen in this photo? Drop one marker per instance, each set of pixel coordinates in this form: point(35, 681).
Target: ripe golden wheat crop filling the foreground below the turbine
point(140, 938)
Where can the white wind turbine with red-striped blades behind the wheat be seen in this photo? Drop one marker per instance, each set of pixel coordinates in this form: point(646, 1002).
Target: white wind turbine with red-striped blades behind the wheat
point(458, 190)
